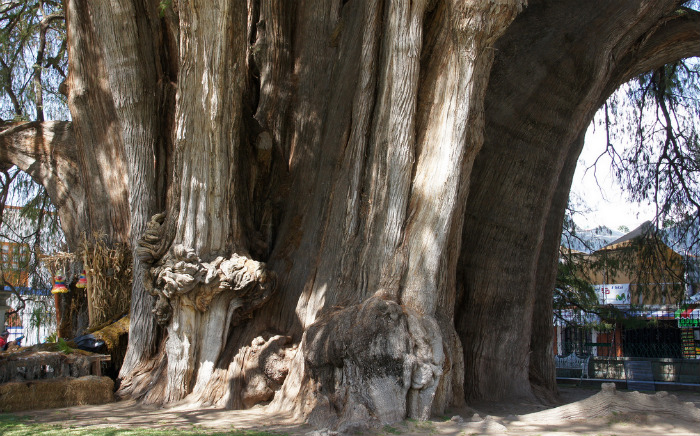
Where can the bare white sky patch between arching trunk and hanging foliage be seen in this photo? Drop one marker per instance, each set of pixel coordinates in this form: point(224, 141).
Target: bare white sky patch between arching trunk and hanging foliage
point(606, 202)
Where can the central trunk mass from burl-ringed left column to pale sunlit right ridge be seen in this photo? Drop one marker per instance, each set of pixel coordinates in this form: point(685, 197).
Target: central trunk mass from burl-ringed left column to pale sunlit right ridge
point(363, 180)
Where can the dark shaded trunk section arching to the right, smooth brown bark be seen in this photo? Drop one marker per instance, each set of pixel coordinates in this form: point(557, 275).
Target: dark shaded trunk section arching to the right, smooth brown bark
point(543, 92)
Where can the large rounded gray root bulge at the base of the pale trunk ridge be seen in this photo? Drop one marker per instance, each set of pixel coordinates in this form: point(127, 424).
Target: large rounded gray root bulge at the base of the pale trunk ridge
point(366, 365)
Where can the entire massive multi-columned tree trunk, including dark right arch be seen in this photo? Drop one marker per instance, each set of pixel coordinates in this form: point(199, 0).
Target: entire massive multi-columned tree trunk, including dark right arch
point(359, 214)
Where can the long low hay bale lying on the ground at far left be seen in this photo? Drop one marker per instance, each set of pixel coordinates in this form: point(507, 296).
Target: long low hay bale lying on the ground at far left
point(54, 393)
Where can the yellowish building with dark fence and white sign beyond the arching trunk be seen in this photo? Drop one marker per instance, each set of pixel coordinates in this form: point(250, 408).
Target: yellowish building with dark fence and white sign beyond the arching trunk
point(646, 300)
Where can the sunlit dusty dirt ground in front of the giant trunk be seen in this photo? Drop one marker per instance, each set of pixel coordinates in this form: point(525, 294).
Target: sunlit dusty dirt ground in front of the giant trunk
point(584, 411)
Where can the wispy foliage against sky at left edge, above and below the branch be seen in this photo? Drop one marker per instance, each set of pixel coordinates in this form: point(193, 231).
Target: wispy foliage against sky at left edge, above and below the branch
point(33, 63)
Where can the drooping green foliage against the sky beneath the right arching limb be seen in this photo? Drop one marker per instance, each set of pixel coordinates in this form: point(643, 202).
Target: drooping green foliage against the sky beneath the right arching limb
point(653, 130)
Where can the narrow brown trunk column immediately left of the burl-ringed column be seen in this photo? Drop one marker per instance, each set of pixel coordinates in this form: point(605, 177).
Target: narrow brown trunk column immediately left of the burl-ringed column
point(132, 44)
